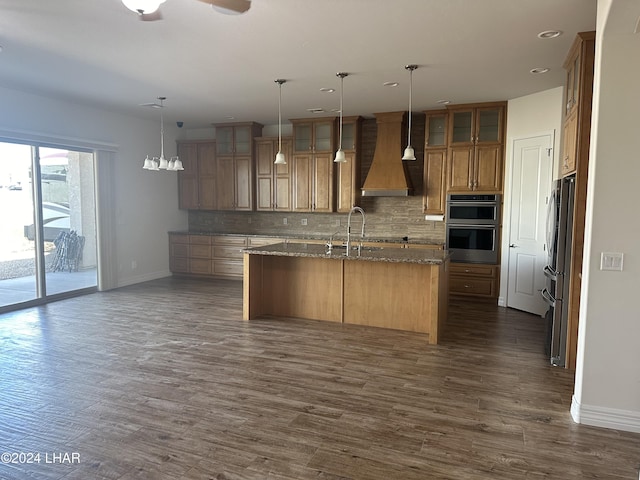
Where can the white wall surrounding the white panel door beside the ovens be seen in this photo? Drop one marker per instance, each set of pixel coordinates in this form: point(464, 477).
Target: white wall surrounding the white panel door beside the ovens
point(529, 116)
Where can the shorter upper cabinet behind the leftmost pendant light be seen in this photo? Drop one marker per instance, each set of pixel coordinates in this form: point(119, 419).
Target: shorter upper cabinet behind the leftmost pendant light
point(273, 182)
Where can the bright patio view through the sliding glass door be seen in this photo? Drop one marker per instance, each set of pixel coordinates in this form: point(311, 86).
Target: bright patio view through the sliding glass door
point(48, 224)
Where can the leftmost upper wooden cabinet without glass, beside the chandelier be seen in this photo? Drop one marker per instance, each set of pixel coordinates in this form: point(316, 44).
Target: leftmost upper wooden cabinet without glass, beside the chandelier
point(197, 182)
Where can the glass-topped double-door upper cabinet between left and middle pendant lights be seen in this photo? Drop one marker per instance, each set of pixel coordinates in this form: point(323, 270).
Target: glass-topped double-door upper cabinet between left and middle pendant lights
point(312, 166)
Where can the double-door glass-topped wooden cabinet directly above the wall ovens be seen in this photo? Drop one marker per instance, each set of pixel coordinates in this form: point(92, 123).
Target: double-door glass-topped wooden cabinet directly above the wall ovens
point(476, 145)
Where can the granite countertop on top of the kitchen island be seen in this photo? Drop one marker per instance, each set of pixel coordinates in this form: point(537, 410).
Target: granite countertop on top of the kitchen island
point(371, 254)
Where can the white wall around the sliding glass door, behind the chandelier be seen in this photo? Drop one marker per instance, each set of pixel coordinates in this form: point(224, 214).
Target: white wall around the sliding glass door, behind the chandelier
point(145, 203)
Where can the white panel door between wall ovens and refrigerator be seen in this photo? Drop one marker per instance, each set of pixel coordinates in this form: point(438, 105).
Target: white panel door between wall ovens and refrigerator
point(531, 181)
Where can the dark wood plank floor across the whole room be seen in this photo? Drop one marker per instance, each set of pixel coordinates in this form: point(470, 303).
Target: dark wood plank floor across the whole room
point(163, 380)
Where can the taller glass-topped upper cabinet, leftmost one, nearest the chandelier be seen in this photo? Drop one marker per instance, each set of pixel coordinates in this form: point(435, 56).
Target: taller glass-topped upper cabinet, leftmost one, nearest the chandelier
point(235, 165)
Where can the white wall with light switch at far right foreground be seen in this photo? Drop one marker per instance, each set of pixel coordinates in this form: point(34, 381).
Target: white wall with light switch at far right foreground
point(607, 389)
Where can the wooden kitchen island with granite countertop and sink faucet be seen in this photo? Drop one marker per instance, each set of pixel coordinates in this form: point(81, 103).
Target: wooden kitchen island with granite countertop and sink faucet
point(395, 288)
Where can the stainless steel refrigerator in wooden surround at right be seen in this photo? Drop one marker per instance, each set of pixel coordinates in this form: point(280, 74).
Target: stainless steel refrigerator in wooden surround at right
point(556, 291)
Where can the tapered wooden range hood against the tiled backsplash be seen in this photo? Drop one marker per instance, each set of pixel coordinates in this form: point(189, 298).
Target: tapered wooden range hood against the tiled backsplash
point(387, 176)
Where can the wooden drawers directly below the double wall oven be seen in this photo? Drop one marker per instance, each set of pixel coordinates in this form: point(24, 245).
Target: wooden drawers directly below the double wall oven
point(474, 279)
